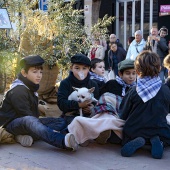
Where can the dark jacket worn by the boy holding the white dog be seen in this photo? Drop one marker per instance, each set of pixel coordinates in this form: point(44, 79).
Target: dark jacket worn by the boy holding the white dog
point(66, 88)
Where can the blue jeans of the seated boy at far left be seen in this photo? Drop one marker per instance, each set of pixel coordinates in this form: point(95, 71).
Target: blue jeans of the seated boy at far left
point(42, 129)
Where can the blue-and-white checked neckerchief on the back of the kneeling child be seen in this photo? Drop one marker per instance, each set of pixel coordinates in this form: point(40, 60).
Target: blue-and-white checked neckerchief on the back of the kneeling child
point(148, 87)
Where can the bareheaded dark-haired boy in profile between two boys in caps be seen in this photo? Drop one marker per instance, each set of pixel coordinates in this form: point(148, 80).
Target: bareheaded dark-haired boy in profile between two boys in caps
point(97, 72)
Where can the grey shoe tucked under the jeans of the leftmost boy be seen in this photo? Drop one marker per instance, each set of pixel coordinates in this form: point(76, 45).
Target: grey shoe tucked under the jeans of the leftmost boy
point(24, 140)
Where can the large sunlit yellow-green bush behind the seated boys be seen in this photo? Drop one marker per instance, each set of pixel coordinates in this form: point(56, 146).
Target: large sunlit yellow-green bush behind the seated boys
point(60, 31)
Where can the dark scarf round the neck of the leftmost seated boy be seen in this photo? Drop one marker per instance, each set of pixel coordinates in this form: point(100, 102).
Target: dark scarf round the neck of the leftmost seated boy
point(32, 86)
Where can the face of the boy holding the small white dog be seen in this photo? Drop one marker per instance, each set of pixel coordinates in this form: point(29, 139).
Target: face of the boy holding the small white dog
point(80, 71)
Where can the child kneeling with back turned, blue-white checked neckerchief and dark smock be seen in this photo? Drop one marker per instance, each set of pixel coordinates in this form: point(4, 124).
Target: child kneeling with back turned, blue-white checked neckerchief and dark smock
point(144, 108)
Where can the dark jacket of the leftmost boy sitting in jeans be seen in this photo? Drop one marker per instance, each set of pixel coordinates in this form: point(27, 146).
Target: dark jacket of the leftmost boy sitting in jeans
point(18, 102)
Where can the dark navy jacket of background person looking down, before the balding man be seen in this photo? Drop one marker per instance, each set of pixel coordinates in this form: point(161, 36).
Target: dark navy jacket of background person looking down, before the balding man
point(120, 55)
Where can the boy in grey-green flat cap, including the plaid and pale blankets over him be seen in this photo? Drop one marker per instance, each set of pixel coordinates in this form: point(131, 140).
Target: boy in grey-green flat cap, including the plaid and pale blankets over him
point(106, 110)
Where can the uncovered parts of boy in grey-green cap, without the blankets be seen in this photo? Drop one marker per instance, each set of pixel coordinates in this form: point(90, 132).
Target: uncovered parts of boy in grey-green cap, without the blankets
point(119, 86)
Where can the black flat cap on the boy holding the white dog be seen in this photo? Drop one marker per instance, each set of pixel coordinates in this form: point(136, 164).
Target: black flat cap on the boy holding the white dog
point(81, 59)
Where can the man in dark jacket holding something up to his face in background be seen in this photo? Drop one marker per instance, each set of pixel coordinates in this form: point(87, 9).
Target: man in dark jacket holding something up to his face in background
point(157, 44)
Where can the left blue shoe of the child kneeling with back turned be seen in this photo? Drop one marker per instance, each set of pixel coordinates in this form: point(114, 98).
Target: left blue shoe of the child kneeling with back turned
point(130, 148)
